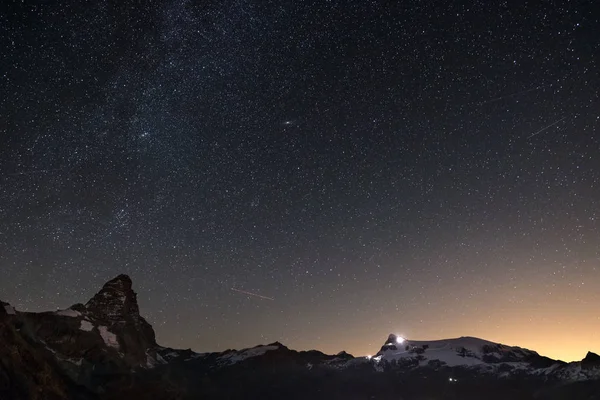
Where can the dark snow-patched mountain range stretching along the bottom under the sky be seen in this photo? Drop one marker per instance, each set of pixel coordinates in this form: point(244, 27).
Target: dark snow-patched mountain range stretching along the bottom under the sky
point(104, 349)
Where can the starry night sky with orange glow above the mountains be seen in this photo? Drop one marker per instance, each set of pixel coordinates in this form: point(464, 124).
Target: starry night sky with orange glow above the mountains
point(430, 169)
